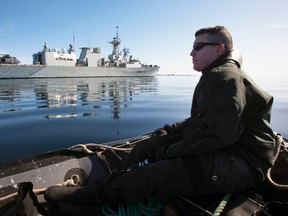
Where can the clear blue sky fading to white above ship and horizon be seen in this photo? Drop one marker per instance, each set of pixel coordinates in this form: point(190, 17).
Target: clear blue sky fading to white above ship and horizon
point(158, 32)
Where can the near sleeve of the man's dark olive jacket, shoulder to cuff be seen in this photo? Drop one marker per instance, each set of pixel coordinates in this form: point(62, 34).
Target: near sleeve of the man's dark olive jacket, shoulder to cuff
point(216, 118)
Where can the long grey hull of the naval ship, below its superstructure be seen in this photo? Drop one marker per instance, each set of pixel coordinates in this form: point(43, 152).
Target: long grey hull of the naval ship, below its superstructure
point(32, 71)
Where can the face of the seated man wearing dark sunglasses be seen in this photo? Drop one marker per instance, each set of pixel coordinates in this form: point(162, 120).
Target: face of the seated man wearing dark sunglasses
point(204, 52)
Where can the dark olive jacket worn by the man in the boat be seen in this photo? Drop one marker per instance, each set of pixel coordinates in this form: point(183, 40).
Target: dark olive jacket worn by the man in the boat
point(228, 111)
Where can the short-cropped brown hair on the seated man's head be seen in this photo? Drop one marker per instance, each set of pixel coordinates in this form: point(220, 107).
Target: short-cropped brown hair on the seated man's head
point(219, 34)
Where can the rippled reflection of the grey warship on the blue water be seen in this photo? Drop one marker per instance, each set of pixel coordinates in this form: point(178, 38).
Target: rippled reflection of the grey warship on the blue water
point(73, 94)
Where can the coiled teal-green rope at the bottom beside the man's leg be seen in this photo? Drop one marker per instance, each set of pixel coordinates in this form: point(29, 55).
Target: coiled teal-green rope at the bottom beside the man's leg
point(150, 207)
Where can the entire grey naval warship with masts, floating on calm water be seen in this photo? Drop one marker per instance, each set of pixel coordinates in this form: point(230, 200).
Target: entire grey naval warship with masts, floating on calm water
point(58, 62)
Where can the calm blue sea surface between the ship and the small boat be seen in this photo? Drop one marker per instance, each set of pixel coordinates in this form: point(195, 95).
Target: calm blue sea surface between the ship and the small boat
point(39, 115)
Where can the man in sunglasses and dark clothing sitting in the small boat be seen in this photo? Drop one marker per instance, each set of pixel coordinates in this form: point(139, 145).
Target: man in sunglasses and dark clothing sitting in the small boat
point(226, 145)
